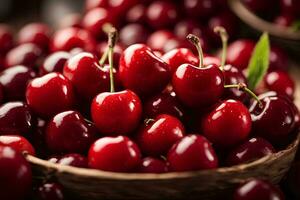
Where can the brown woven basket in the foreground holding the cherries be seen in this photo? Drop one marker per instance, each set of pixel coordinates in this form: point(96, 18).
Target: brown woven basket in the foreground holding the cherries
point(209, 184)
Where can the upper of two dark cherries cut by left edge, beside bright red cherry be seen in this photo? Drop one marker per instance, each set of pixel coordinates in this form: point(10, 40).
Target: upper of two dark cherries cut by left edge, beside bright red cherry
point(14, 81)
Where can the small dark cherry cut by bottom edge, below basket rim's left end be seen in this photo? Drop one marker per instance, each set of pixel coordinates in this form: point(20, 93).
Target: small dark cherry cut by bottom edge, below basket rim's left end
point(51, 191)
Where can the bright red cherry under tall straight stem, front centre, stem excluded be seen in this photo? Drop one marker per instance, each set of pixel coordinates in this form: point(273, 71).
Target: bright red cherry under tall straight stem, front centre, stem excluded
point(116, 113)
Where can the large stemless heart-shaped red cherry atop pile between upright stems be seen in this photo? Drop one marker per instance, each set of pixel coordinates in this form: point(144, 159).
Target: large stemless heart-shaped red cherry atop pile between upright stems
point(145, 79)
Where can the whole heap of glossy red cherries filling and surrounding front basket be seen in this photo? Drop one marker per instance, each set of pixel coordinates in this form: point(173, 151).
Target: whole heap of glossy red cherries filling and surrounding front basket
point(140, 105)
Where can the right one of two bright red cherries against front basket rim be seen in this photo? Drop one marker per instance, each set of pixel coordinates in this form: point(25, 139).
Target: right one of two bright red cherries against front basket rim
point(193, 152)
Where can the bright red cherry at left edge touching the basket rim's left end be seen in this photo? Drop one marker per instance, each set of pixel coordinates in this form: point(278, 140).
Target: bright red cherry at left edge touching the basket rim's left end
point(18, 143)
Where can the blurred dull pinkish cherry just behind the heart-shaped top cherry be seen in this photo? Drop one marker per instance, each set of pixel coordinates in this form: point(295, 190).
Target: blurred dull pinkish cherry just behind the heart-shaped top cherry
point(132, 34)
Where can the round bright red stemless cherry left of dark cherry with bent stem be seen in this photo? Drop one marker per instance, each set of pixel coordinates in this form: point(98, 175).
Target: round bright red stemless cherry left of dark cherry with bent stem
point(228, 124)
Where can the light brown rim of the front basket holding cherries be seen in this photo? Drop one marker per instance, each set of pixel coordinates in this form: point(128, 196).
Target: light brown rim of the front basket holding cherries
point(95, 173)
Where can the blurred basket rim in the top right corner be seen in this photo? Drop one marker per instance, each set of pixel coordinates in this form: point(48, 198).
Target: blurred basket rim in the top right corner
point(260, 24)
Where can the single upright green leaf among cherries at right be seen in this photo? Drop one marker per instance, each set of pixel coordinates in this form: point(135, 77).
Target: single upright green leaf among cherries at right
point(259, 61)
